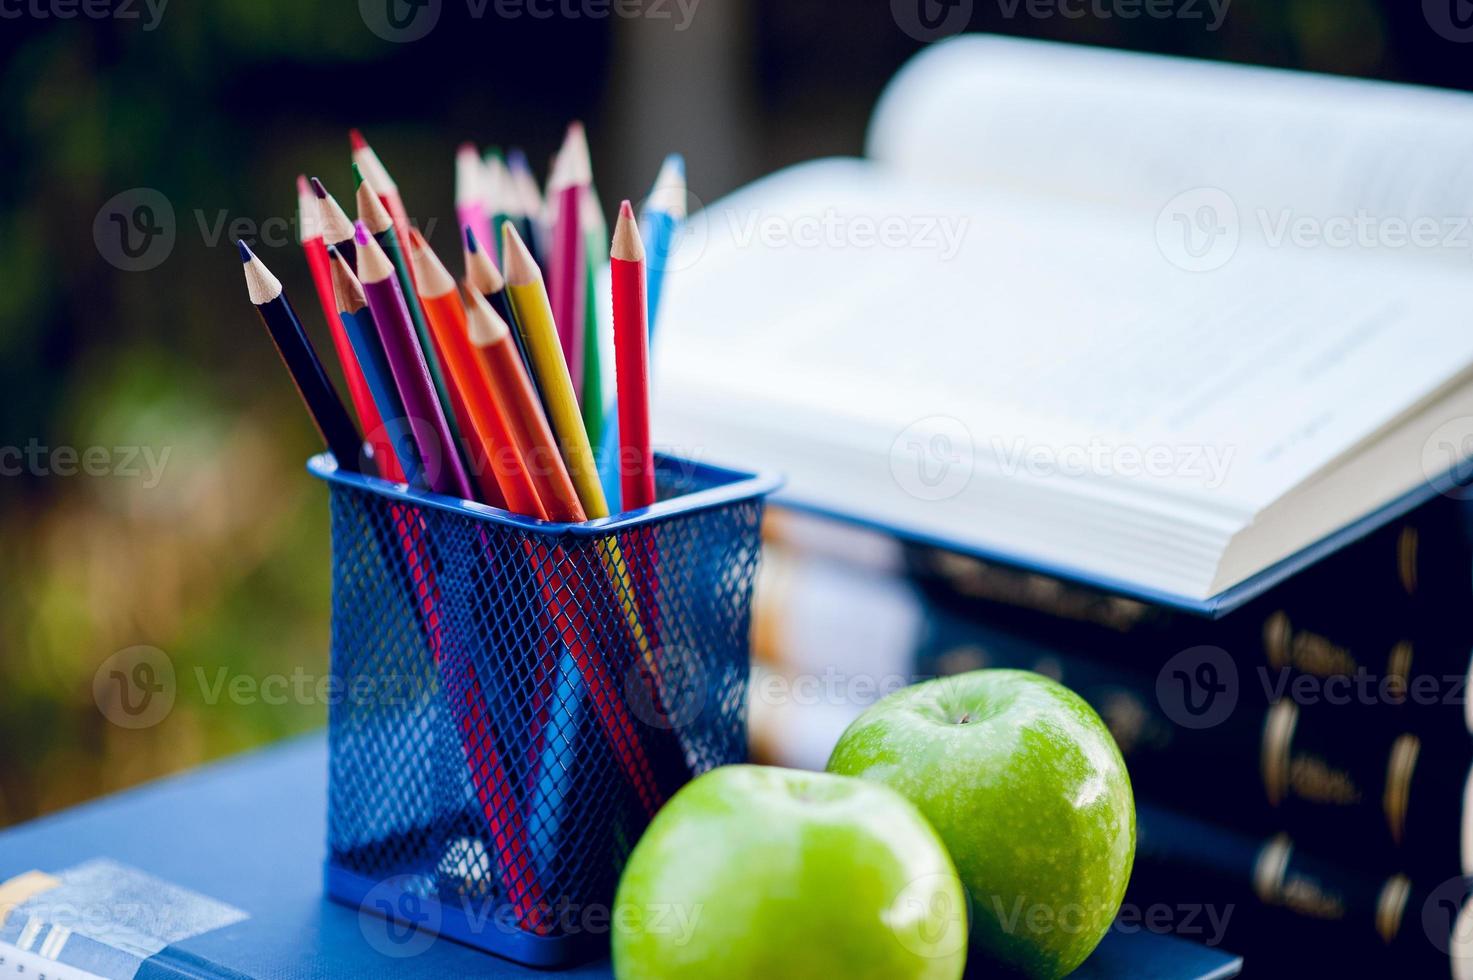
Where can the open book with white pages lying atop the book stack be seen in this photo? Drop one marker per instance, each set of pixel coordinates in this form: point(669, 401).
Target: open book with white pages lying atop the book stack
point(1151, 323)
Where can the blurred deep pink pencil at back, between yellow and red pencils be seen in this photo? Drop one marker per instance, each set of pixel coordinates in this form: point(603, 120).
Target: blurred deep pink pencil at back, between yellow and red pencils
point(568, 278)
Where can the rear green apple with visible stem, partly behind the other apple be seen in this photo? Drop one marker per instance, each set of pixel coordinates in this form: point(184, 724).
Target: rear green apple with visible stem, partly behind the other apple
point(1029, 792)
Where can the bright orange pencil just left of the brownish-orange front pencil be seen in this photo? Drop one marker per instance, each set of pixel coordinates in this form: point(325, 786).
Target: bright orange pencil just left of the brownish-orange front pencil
point(447, 321)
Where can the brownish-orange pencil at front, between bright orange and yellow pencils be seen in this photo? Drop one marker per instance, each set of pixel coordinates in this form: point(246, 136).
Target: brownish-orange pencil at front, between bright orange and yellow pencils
point(518, 403)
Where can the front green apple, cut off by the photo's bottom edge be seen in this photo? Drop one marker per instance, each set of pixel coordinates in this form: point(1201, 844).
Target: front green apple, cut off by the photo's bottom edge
point(764, 873)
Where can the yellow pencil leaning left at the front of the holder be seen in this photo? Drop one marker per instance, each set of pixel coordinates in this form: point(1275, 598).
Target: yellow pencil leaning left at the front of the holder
point(534, 315)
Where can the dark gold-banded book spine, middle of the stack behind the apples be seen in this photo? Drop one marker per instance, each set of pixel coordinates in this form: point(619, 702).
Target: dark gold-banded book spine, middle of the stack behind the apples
point(1341, 776)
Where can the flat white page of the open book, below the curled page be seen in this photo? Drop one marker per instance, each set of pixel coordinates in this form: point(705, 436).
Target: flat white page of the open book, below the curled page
point(1060, 340)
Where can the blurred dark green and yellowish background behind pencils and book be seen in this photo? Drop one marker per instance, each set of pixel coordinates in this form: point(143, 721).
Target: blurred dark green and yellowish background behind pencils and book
point(222, 562)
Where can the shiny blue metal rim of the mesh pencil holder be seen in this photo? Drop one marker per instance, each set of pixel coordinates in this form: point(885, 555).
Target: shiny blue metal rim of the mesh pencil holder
point(727, 487)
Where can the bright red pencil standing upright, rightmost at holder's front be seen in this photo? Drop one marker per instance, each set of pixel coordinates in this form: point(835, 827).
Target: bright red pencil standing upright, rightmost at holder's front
point(633, 362)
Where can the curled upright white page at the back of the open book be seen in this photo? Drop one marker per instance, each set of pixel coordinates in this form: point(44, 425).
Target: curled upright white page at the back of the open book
point(1138, 130)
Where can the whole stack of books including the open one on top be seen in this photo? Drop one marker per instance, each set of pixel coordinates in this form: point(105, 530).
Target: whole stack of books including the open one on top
point(1131, 368)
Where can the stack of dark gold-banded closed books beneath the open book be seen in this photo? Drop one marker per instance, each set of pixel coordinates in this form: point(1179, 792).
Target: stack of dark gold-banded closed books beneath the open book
point(1301, 766)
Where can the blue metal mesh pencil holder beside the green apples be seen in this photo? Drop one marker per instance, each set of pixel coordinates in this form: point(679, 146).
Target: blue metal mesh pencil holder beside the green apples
point(515, 699)
